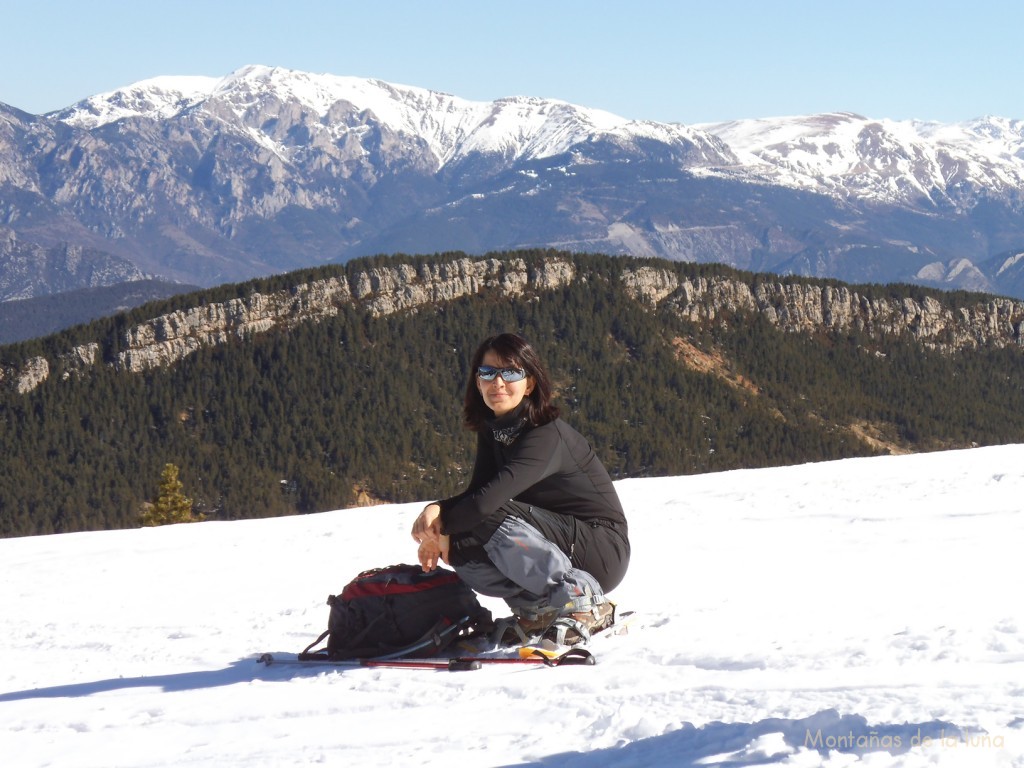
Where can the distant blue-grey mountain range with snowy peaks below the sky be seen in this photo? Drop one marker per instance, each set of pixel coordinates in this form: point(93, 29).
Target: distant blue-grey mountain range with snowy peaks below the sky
point(209, 181)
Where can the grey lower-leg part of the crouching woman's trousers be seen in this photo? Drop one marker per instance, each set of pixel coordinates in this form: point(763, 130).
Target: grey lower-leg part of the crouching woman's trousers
point(530, 572)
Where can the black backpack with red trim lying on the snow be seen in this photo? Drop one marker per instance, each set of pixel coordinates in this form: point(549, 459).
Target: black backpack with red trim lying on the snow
point(400, 611)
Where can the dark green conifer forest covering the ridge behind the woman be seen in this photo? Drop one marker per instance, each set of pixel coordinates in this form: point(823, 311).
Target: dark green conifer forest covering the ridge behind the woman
point(356, 409)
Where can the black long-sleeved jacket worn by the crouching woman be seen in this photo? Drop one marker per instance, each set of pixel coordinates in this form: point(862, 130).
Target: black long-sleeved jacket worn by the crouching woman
point(551, 467)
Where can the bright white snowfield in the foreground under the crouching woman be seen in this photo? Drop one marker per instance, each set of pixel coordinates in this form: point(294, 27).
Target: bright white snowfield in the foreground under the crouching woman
point(857, 613)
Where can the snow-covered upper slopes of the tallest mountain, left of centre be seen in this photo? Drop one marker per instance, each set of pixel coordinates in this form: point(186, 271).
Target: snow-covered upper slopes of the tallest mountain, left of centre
point(452, 129)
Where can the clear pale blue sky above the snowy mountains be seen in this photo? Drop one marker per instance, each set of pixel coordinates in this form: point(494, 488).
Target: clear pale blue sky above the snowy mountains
point(674, 62)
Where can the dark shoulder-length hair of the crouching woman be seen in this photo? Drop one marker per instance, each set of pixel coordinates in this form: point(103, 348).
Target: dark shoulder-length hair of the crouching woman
point(514, 352)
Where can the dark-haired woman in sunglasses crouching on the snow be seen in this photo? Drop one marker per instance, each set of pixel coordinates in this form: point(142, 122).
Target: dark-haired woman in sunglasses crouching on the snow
point(540, 525)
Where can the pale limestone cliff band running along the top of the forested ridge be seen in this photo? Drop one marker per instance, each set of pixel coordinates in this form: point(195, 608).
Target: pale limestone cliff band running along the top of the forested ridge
point(795, 308)
